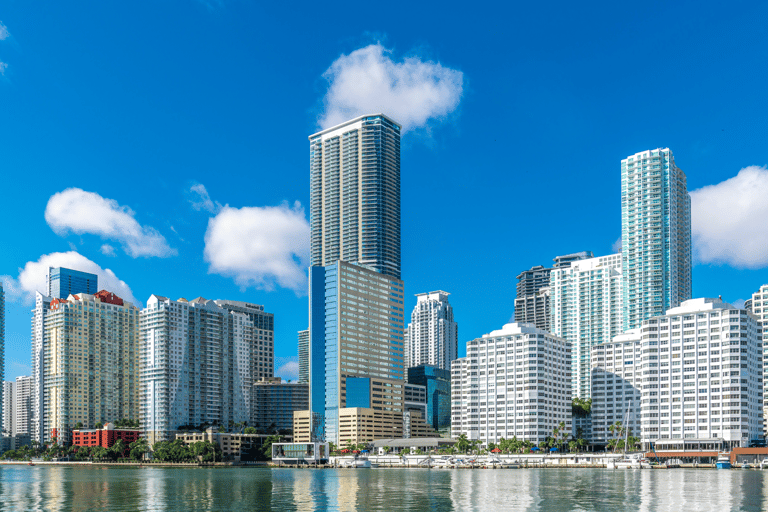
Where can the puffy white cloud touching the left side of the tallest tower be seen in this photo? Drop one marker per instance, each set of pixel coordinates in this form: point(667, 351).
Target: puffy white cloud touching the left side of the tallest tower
point(260, 246)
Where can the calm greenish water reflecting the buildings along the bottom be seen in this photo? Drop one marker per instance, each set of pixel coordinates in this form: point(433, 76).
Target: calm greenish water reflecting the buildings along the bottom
point(113, 489)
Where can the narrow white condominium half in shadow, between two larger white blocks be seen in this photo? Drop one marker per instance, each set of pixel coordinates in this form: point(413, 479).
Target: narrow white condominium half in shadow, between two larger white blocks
point(617, 381)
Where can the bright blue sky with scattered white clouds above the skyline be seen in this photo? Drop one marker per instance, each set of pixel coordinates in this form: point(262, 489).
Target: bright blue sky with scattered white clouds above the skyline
point(164, 145)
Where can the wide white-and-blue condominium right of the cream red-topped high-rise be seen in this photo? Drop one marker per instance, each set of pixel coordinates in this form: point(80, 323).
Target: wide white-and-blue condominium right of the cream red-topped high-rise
point(199, 361)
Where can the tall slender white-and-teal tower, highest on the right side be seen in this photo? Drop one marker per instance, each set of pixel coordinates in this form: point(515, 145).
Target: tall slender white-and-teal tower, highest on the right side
point(655, 235)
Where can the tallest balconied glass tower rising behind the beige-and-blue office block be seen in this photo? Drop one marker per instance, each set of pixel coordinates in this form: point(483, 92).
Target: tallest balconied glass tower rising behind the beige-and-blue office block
point(355, 194)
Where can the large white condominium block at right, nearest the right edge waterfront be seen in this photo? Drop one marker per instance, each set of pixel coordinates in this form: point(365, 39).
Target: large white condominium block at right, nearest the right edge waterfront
point(702, 374)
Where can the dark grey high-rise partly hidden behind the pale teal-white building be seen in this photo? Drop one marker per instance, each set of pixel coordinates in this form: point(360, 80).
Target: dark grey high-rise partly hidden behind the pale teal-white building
point(532, 303)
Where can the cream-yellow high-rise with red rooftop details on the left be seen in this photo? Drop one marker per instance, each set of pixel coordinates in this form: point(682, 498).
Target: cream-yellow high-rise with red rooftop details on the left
point(91, 373)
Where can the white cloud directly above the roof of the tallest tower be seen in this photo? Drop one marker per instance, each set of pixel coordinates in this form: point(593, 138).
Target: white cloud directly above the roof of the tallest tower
point(368, 81)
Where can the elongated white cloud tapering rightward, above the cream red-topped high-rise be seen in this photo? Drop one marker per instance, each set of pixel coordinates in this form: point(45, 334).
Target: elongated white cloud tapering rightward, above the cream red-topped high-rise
point(77, 211)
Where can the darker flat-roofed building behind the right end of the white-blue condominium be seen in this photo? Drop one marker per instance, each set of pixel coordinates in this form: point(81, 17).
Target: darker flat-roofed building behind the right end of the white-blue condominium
point(260, 341)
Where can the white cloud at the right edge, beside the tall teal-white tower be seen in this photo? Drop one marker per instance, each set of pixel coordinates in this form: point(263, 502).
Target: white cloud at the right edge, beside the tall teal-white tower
point(728, 220)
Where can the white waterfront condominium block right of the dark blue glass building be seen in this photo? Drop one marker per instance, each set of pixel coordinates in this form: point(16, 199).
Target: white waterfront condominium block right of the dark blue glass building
point(513, 382)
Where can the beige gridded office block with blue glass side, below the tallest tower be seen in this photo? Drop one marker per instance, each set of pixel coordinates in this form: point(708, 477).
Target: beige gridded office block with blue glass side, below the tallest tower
point(356, 330)
